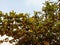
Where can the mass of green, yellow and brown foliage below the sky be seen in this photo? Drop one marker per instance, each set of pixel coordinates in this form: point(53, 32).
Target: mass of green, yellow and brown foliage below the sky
point(35, 30)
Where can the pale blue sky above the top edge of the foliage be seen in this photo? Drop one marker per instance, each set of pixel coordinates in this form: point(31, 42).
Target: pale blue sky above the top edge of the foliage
point(21, 5)
